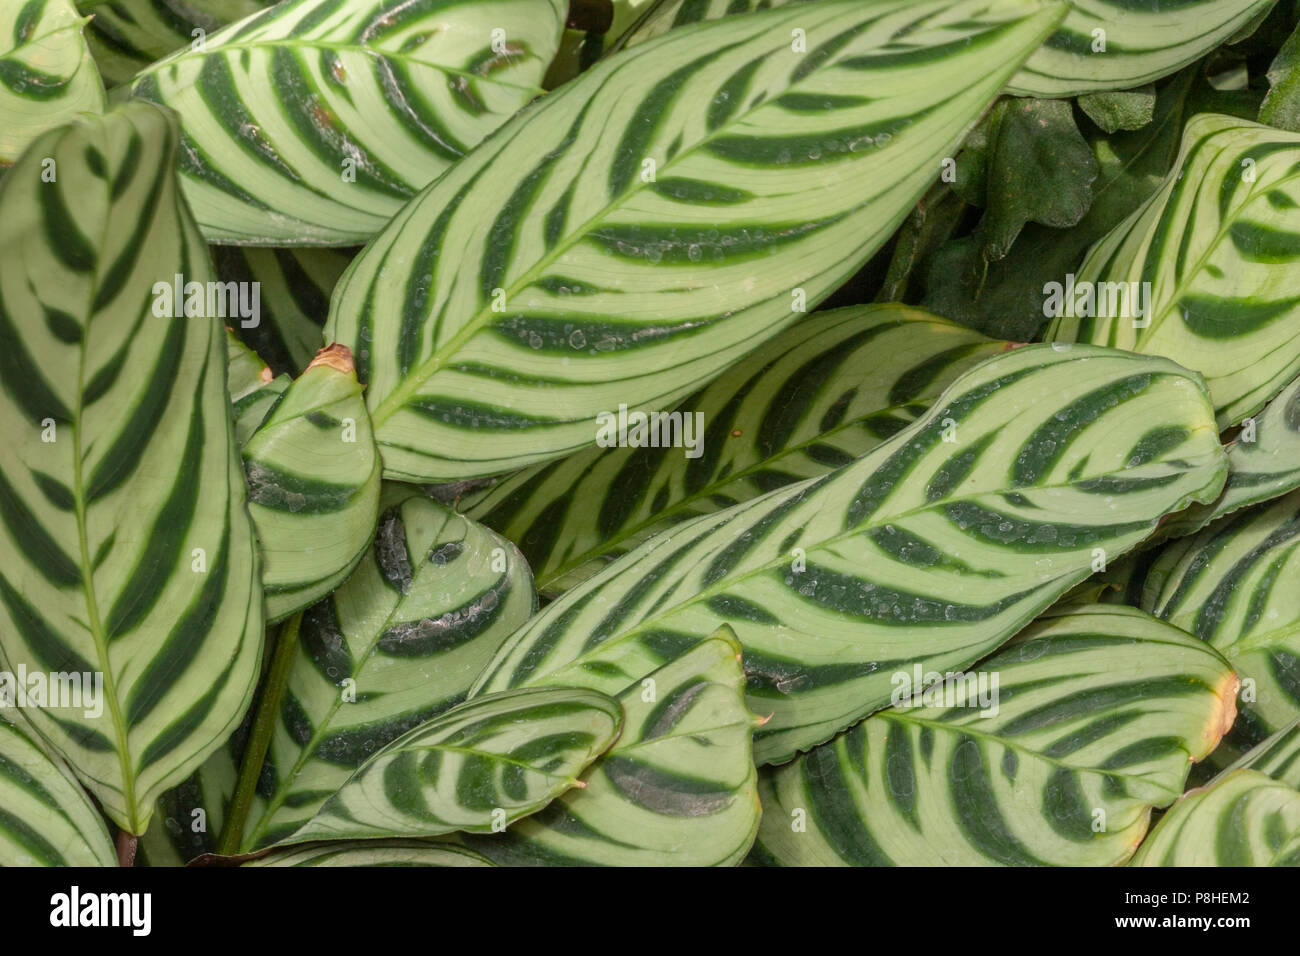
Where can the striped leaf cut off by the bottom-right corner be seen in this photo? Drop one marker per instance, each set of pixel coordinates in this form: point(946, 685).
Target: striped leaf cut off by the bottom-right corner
point(1242, 820)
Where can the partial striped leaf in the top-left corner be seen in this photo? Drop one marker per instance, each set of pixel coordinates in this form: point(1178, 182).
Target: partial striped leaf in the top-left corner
point(46, 72)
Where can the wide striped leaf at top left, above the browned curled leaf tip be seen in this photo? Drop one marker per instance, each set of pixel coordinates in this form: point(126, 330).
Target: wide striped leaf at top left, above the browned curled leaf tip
point(313, 123)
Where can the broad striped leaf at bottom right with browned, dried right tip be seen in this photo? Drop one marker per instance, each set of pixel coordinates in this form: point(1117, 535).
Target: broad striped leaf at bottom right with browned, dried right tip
point(1051, 752)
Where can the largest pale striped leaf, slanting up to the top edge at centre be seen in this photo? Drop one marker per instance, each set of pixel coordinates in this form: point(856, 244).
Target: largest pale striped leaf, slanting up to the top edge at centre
point(657, 219)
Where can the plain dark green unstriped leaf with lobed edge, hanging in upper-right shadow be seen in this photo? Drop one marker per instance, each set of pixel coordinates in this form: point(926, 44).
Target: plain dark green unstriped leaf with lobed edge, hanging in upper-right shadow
point(1041, 170)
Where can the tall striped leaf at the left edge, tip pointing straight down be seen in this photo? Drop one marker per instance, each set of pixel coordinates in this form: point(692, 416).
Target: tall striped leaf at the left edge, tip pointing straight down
point(127, 548)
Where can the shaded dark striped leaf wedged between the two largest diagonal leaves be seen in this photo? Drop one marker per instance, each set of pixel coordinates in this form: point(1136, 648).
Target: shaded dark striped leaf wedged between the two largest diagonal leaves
point(817, 397)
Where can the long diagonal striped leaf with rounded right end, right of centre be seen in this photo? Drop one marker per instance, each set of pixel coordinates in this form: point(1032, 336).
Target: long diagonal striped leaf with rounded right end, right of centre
point(928, 550)
